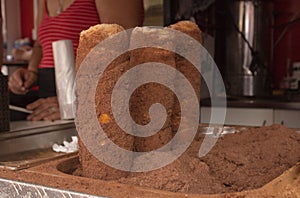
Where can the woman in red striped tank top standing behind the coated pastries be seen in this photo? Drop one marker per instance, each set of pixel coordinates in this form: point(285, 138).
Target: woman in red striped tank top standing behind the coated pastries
point(65, 19)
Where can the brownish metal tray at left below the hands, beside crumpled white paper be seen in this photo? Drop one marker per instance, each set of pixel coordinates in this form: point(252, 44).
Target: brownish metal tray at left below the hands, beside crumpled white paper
point(29, 143)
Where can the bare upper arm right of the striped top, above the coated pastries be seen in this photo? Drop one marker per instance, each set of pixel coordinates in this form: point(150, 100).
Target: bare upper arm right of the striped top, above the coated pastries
point(127, 13)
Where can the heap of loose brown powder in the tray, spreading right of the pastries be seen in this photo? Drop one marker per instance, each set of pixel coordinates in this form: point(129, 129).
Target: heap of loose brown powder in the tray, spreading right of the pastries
point(242, 161)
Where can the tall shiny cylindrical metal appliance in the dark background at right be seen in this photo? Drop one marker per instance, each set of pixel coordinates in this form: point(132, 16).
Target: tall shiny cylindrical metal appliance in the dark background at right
point(247, 35)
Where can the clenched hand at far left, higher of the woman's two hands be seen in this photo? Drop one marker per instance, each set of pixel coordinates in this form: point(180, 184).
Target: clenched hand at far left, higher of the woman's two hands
point(21, 80)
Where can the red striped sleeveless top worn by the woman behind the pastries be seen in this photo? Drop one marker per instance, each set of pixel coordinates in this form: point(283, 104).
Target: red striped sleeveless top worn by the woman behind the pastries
point(80, 15)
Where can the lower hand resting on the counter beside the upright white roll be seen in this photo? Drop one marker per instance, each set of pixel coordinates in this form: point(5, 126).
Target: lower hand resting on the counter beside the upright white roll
point(44, 109)
